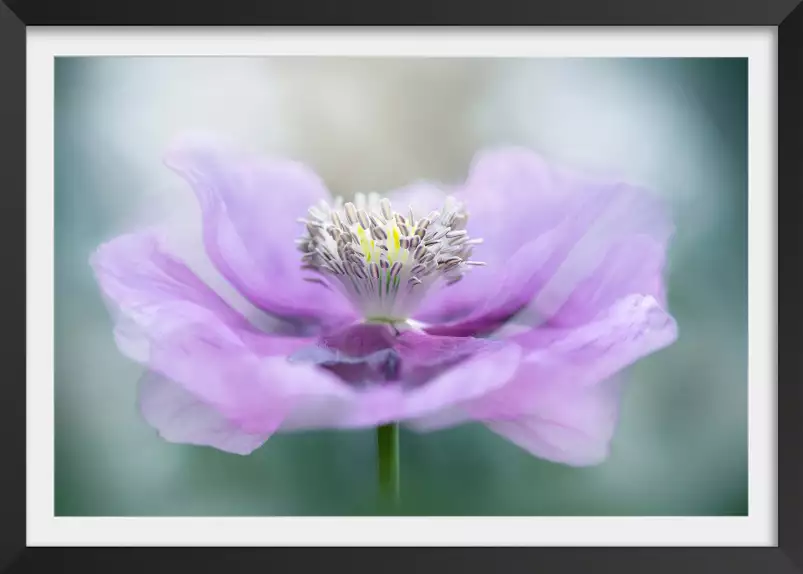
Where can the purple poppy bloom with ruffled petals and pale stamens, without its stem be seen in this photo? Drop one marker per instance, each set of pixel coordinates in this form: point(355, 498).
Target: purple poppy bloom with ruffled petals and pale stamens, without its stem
point(393, 318)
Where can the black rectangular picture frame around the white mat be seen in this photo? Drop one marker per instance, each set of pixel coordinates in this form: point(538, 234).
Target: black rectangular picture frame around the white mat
point(787, 15)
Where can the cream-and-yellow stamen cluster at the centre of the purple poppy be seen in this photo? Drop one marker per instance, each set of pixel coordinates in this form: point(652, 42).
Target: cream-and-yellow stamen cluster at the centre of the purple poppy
point(382, 261)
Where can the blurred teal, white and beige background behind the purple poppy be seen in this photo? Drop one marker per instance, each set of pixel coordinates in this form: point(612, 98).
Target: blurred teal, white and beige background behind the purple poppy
point(676, 125)
